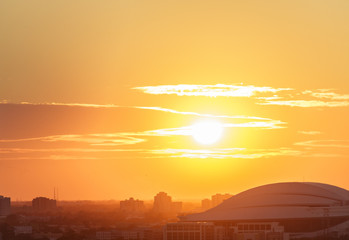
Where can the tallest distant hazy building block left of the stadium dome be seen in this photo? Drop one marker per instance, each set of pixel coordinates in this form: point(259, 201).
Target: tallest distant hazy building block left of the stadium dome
point(163, 204)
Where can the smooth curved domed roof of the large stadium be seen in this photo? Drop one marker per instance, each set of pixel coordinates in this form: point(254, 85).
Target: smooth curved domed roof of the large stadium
point(292, 200)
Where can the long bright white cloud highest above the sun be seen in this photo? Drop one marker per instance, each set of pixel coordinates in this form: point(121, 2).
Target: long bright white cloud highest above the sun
point(218, 90)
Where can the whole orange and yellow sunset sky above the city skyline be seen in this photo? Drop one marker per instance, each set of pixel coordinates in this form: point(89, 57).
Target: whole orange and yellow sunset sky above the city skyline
point(103, 99)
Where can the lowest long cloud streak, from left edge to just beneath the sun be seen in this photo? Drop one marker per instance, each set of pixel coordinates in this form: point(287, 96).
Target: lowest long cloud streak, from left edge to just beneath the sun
point(216, 153)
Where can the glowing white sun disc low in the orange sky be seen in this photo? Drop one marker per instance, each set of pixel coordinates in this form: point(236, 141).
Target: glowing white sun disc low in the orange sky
point(207, 132)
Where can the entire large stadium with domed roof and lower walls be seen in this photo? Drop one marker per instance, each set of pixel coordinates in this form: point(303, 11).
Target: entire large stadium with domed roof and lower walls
point(280, 211)
